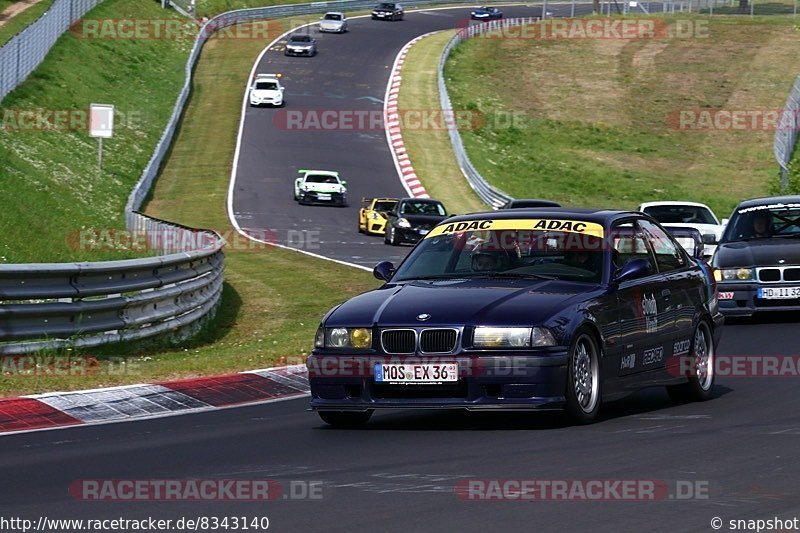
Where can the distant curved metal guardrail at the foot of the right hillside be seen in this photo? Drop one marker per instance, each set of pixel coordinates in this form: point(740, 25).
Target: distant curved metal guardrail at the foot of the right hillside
point(490, 194)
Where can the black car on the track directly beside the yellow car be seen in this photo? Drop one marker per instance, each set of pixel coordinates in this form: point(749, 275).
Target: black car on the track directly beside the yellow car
point(411, 219)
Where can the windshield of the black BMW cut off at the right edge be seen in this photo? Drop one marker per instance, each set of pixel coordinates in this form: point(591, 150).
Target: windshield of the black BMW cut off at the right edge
point(764, 221)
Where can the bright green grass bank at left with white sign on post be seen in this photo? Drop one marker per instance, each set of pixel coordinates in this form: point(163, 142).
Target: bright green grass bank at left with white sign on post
point(51, 187)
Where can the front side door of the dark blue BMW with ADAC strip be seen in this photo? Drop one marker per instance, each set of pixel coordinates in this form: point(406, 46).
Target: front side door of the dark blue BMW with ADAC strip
point(643, 304)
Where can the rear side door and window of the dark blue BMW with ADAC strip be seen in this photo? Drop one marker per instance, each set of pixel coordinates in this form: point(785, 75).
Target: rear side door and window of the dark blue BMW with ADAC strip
point(685, 286)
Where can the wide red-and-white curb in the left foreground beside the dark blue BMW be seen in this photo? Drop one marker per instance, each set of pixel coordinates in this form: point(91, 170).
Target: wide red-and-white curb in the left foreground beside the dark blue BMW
point(132, 402)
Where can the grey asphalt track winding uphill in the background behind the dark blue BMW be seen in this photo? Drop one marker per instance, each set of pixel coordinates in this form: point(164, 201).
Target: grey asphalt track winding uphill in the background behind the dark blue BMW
point(350, 73)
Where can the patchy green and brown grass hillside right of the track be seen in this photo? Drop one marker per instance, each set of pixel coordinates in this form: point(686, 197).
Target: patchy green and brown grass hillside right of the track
point(590, 116)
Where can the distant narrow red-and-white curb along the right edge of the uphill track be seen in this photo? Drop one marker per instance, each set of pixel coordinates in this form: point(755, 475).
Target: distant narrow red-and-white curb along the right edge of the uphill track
point(394, 135)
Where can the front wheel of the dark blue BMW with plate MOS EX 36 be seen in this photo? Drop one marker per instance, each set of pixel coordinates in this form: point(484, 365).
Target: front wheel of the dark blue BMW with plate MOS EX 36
point(584, 390)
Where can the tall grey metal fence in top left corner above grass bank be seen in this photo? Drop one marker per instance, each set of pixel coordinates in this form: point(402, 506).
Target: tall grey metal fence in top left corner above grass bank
point(22, 53)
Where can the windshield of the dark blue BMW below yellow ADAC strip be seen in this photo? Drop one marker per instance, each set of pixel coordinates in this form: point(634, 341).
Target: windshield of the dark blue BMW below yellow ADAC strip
point(505, 253)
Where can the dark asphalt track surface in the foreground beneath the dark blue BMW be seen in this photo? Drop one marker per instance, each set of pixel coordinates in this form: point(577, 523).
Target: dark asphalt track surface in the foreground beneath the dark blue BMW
point(399, 473)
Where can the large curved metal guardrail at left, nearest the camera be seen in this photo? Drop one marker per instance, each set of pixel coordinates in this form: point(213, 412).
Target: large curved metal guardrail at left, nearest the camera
point(59, 305)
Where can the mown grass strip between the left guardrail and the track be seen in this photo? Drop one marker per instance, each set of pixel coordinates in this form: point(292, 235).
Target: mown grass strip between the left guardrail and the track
point(273, 299)
